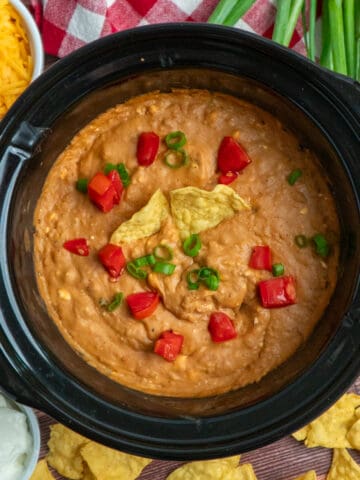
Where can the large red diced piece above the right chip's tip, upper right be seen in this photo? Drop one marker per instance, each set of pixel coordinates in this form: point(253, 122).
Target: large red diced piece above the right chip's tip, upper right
point(231, 156)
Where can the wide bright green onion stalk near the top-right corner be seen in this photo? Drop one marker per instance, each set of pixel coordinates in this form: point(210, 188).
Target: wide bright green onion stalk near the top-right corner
point(336, 23)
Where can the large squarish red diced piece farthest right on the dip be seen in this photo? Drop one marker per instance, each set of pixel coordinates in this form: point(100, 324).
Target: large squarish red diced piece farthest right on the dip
point(277, 292)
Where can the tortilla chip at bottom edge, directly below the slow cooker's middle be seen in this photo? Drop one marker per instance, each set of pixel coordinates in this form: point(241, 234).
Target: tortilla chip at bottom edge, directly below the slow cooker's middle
point(206, 470)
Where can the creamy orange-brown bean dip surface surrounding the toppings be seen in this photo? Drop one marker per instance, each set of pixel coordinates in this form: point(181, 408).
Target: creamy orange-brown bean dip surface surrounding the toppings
point(121, 346)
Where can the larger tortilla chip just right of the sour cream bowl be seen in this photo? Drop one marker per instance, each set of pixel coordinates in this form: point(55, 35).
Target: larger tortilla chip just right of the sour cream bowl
point(64, 451)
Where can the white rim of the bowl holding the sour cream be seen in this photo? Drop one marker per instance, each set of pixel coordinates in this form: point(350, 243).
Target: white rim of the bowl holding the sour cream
point(34, 430)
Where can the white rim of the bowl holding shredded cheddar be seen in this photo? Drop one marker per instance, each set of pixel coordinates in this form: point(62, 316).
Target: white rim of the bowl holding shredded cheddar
point(36, 46)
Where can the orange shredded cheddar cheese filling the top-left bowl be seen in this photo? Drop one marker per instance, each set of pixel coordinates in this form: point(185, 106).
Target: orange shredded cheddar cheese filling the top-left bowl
point(15, 59)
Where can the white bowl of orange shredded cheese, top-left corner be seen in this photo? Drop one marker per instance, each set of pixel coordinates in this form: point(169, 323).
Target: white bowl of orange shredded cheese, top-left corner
point(22, 54)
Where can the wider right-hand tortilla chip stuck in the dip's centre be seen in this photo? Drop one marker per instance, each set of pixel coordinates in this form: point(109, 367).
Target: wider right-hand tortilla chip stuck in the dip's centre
point(195, 210)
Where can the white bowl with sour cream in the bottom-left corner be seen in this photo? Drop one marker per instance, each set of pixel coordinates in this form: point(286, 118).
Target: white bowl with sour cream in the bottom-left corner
point(19, 440)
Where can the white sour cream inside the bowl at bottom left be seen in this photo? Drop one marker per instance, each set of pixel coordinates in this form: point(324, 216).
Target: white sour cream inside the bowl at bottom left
point(15, 441)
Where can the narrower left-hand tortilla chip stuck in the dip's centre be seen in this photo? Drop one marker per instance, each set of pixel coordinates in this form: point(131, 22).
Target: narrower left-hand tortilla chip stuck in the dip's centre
point(145, 222)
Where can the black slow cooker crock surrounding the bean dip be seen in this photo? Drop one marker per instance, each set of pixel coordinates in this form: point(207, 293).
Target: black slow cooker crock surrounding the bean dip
point(39, 368)
